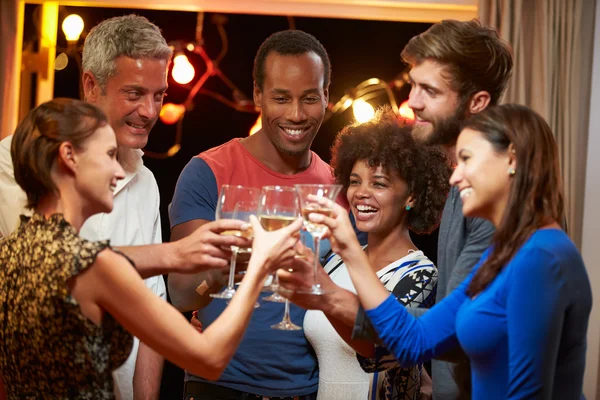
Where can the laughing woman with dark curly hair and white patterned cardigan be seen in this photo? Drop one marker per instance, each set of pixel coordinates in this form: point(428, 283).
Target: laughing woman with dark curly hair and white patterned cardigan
point(393, 185)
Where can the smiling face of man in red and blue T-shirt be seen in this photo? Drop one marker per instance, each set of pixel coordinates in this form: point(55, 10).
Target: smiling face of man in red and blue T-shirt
point(292, 101)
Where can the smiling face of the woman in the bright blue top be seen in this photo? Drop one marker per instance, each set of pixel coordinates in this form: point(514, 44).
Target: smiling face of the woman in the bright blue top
point(482, 176)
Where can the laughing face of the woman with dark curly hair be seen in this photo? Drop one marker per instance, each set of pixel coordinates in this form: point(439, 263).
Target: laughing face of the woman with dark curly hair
point(377, 199)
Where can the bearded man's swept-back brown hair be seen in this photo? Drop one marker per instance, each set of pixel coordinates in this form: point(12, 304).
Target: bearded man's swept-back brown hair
point(475, 57)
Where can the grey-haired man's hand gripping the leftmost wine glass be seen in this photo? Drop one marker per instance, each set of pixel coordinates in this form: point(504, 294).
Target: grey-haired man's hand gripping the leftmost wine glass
point(206, 248)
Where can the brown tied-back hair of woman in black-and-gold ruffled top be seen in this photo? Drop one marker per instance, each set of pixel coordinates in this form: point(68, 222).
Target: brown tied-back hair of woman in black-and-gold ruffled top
point(35, 144)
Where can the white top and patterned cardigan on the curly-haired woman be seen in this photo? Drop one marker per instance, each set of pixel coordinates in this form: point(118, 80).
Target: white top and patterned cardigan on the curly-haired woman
point(342, 373)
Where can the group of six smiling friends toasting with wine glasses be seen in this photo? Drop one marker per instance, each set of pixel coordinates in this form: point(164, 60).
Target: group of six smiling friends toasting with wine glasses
point(503, 315)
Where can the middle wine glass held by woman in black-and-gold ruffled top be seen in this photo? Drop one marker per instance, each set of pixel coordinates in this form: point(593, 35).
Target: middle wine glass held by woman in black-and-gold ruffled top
point(278, 207)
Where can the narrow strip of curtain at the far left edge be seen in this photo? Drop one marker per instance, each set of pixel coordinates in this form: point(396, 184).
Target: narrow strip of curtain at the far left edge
point(9, 66)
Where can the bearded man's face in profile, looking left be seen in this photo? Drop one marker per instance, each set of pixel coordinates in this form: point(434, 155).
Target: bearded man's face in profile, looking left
point(437, 106)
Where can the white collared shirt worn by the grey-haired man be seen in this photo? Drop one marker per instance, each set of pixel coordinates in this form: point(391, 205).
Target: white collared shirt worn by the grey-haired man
point(134, 220)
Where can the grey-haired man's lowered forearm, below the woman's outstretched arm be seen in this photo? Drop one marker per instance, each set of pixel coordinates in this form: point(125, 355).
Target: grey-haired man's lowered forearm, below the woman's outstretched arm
point(148, 373)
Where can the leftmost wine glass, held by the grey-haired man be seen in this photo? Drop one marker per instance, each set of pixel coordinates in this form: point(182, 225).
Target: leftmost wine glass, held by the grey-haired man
point(235, 202)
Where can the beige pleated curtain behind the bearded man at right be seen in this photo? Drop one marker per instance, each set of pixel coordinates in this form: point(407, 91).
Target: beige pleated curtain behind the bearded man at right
point(552, 42)
